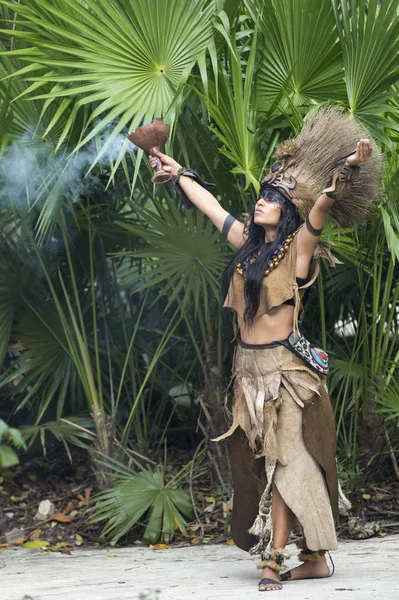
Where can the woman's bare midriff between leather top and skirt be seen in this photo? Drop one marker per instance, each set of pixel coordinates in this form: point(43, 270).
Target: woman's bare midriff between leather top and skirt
point(274, 326)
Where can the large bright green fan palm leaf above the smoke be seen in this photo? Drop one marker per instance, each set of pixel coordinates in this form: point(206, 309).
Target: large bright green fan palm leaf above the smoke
point(125, 59)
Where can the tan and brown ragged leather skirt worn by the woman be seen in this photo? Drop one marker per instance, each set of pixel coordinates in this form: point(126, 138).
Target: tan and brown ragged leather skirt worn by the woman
point(282, 434)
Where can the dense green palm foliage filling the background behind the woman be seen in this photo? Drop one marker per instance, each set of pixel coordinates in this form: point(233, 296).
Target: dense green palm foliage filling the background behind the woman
point(109, 295)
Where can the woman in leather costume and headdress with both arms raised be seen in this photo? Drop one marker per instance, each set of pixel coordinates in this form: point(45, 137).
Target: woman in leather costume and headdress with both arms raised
point(282, 444)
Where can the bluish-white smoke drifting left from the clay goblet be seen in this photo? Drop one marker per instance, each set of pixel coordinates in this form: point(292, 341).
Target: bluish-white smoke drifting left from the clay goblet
point(31, 174)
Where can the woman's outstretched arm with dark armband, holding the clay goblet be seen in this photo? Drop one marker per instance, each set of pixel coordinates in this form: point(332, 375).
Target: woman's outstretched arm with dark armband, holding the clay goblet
point(204, 201)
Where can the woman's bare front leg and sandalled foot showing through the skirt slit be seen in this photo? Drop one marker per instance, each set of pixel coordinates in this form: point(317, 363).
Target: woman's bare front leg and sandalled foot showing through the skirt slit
point(283, 522)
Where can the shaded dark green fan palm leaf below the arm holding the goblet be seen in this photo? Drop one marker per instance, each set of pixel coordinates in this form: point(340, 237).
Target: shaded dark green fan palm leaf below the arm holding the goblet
point(182, 254)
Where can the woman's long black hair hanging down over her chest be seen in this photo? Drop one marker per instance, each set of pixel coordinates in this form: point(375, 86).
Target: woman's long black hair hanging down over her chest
point(288, 223)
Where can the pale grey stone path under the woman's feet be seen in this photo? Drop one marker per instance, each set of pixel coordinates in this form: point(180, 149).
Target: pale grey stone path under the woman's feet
point(366, 570)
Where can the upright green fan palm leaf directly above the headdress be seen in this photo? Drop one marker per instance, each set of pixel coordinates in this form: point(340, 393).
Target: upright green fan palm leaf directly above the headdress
point(300, 51)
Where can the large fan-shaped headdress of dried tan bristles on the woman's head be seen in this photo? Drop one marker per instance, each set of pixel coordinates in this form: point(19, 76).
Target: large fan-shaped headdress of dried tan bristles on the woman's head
point(306, 164)
